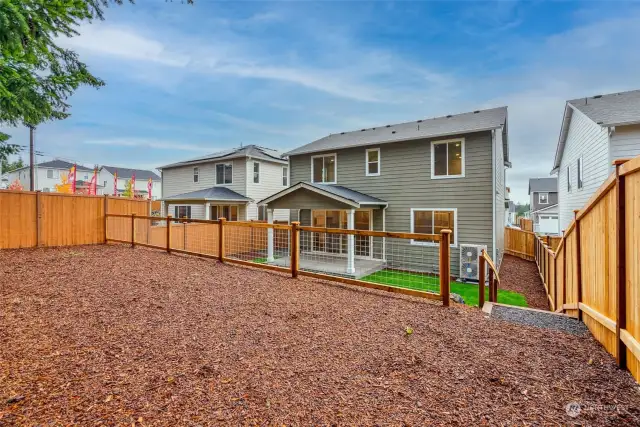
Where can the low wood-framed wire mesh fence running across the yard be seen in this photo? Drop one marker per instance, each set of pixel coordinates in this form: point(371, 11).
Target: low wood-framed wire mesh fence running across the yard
point(283, 247)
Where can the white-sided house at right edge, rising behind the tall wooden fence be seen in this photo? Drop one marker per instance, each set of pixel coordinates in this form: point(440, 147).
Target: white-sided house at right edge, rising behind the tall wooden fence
point(595, 131)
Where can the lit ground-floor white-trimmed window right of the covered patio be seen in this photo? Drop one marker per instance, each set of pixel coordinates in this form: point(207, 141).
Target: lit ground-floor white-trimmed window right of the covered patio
point(433, 221)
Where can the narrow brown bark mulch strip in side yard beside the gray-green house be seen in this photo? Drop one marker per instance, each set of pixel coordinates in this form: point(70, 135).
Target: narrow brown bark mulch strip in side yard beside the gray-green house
point(522, 276)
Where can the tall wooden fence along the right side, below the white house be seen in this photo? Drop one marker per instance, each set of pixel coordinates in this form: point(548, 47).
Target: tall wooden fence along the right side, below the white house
point(594, 272)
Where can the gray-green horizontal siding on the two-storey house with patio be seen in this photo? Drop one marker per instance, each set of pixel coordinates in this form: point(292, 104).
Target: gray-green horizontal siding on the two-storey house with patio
point(405, 183)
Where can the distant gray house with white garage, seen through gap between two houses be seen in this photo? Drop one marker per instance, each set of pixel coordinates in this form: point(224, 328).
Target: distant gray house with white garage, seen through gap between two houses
point(543, 202)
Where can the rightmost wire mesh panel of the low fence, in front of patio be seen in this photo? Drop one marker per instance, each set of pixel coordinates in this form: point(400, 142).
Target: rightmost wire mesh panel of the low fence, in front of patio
point(384, 260)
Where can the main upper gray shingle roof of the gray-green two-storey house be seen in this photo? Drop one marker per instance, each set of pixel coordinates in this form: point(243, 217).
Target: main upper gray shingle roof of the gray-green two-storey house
point(476, 121)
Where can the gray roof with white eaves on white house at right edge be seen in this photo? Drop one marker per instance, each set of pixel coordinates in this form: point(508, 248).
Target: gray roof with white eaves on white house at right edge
point(614, 109)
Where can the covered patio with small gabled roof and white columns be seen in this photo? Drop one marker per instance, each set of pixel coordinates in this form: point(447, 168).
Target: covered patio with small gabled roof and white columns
point(333, 207)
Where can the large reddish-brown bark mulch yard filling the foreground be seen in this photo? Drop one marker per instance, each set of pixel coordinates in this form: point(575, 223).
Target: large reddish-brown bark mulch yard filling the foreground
point(110, 335)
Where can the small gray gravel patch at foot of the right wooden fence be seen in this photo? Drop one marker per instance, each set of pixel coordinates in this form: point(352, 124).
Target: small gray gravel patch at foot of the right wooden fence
point(540, 319)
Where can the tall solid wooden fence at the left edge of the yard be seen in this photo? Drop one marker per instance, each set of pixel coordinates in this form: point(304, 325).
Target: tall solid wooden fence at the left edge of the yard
point(32, 219)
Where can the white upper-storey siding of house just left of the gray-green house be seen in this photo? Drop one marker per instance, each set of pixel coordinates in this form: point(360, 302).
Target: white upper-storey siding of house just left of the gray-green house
point(180, 180)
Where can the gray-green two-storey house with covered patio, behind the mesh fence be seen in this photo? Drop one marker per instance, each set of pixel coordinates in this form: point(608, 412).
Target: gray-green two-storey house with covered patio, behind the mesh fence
point(422, 176)
